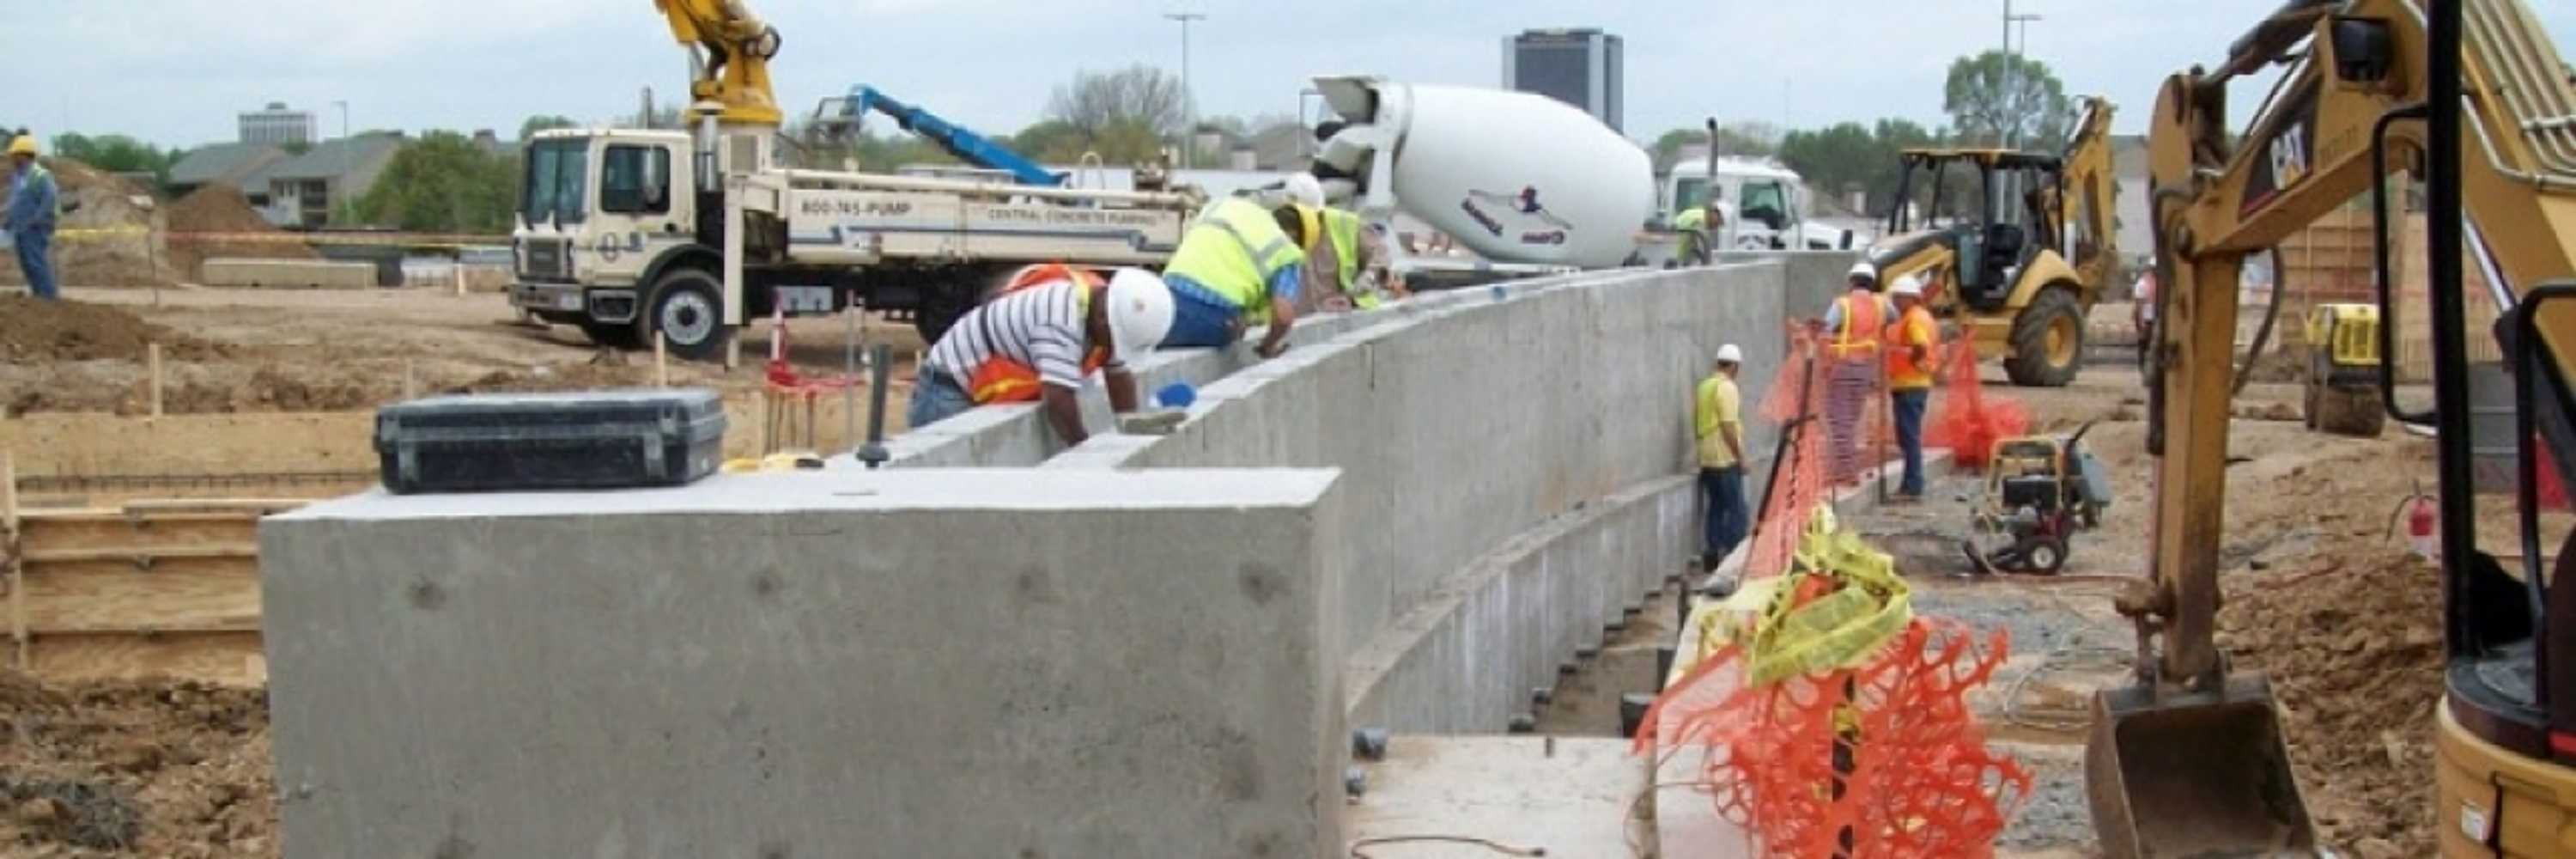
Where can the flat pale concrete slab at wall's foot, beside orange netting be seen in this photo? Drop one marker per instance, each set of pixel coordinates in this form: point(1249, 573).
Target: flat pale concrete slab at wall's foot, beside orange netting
point(1565, 796)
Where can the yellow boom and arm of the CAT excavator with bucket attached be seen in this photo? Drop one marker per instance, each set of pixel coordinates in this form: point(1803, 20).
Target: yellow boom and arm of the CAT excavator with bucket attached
point(2363, 97)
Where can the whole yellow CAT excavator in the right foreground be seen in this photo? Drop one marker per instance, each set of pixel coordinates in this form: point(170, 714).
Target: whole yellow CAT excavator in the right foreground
point(2472, 99)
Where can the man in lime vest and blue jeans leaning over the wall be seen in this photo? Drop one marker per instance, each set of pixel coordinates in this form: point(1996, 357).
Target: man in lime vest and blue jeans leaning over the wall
point(1240, 267)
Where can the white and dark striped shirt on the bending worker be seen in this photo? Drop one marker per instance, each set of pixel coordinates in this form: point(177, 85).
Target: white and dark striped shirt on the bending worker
point(1037, 326)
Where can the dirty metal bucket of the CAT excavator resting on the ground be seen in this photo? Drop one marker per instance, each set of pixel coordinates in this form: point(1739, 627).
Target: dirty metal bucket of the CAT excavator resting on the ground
point(2193, 775)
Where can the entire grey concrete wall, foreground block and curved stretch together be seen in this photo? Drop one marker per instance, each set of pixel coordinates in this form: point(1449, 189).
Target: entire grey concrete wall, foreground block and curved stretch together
point(1140, 646)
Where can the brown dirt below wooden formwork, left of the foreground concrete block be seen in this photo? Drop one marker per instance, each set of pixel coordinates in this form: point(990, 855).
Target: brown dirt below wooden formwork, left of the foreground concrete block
point(135, 770)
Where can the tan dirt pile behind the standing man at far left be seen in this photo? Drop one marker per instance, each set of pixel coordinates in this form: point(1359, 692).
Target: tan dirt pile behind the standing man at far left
point(107, 239)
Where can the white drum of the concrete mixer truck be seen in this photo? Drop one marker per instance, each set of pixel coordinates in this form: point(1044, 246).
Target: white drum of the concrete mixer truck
point(1524, 182)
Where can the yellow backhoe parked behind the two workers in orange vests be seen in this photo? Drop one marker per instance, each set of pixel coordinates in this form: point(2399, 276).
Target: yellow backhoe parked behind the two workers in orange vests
point(2031, 257)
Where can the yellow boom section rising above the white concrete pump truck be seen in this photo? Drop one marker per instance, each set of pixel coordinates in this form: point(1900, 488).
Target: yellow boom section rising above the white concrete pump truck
point(728, 58)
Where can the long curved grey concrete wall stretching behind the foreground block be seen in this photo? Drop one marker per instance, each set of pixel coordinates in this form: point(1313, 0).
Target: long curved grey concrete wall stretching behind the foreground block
point(1482, 419)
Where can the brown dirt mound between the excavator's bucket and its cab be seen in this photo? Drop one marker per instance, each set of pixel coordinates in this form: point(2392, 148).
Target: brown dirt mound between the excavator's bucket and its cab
point(2353, 644)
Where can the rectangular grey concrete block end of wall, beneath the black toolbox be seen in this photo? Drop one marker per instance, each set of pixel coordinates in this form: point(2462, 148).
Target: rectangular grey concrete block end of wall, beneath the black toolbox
point(900, 664)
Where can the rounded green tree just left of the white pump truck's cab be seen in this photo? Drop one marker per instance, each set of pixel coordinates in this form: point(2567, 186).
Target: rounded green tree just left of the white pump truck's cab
point(442, 184)
